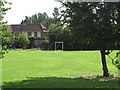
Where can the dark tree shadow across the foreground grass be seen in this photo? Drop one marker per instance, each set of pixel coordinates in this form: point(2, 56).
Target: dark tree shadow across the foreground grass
point(59, 82)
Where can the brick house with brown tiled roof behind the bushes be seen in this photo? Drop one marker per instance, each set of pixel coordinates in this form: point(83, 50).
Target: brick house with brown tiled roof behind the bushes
point(35, 30)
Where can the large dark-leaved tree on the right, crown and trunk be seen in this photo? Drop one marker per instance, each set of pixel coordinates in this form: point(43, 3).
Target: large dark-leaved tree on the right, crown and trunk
point(94, 24)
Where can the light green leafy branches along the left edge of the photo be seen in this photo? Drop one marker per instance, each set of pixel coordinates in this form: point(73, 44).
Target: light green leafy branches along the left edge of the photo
point(3, 28)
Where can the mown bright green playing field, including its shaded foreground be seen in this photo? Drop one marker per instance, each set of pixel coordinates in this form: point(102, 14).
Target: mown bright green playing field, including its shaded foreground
point(56, 69)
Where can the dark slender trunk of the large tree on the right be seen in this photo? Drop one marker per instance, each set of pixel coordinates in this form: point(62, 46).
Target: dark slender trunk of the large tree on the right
point(105, 69)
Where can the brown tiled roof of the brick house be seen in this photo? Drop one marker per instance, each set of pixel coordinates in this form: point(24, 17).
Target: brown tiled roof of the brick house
point(27, 28)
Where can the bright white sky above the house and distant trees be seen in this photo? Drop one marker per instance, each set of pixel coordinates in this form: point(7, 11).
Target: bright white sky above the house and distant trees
point(21, 8)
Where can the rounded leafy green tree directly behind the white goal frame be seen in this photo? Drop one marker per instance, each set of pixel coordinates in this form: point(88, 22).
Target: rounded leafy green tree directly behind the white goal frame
point(58, 33)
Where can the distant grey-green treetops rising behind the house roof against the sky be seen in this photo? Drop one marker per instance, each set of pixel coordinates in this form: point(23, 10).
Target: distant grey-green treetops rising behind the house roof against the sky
point(42, 18)
